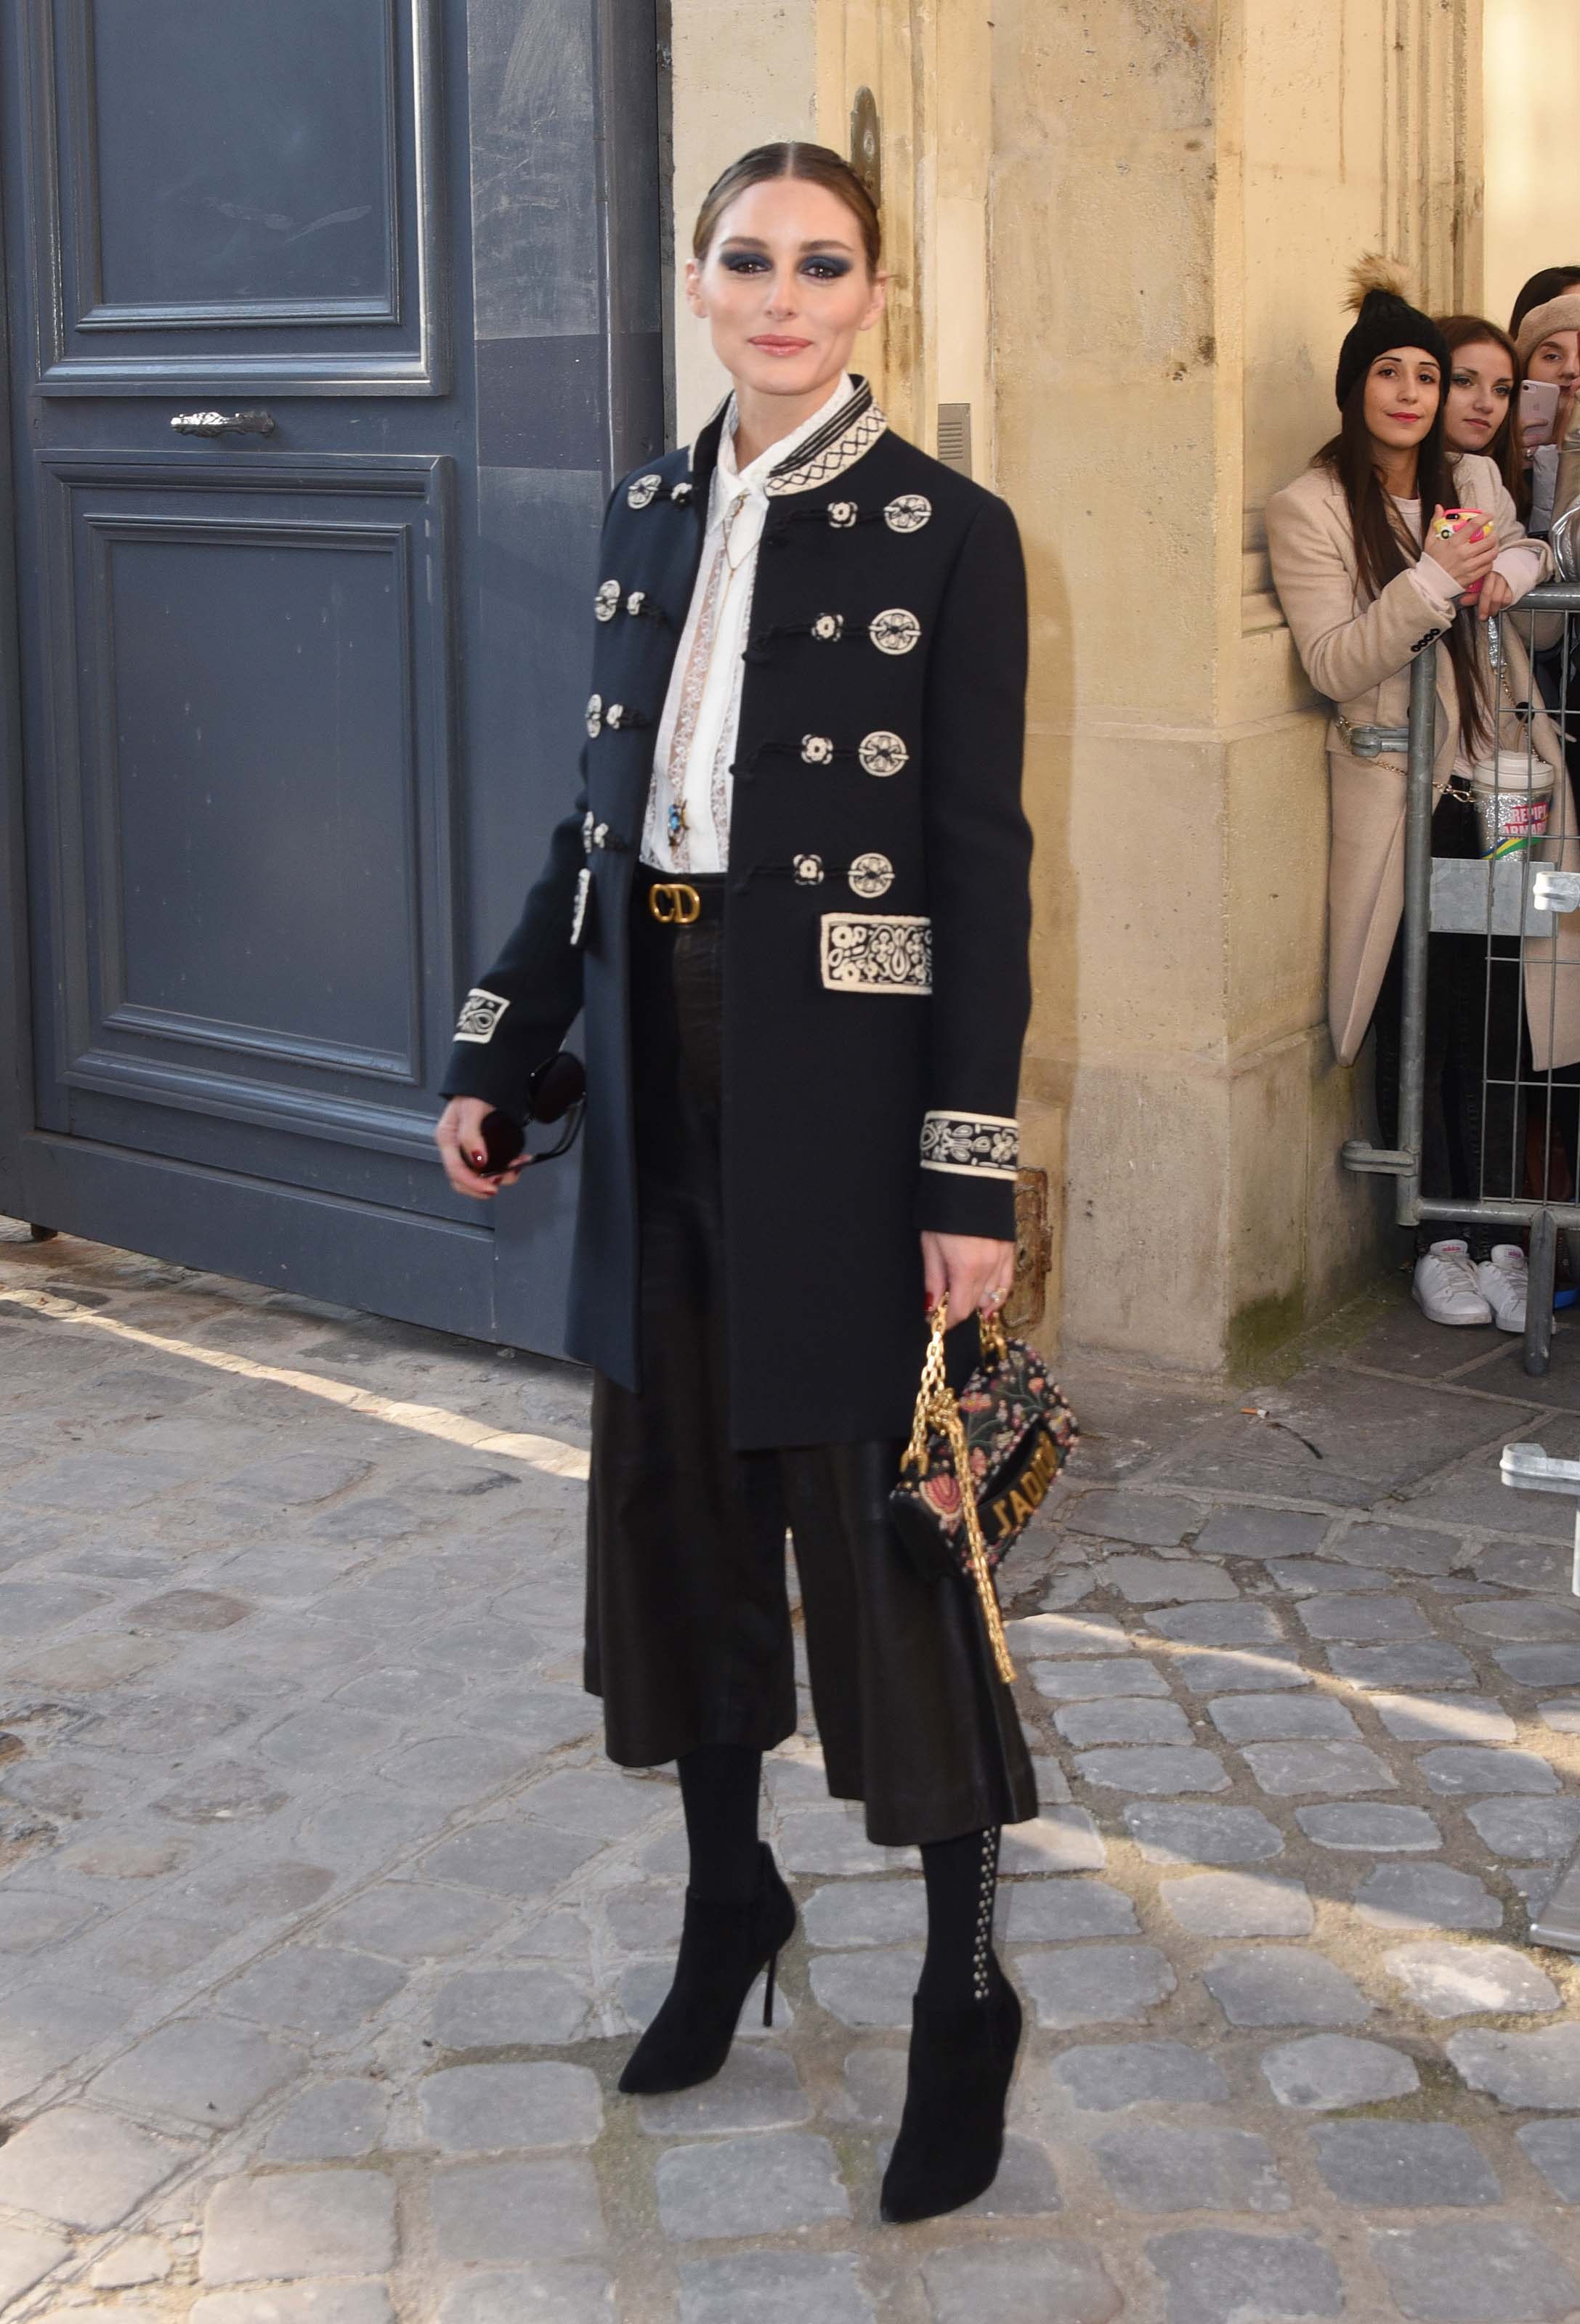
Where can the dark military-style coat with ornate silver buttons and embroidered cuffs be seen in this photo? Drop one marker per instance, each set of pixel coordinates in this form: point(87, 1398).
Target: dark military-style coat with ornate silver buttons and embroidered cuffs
point(877, 917)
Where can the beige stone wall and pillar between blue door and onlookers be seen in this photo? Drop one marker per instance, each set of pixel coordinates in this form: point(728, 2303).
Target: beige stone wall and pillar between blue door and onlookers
point(1123, 238)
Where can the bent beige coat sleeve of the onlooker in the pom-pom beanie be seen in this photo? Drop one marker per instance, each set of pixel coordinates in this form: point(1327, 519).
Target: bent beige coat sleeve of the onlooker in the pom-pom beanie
point(1346, 652)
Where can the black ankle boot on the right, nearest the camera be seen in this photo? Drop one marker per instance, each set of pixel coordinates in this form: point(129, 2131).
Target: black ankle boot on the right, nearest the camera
point(951, 2132)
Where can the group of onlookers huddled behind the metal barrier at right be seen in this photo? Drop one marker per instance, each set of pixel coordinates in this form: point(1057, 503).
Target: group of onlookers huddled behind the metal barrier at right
point(1446, 496)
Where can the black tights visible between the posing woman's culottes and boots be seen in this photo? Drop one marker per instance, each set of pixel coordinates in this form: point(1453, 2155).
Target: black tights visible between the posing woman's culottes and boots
point(719, 1791)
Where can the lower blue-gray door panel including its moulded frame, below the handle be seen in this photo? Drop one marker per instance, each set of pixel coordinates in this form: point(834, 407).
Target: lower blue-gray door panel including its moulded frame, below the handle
point(252, 773)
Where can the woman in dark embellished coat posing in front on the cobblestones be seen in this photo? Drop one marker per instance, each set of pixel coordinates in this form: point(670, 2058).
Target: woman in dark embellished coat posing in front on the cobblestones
point(793, 903)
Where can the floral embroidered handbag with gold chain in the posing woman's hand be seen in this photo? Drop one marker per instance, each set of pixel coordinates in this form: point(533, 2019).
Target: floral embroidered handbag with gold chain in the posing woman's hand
point(979, 1465)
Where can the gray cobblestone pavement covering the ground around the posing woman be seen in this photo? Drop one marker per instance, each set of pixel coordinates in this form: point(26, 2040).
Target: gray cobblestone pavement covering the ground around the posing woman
point(324, 1925)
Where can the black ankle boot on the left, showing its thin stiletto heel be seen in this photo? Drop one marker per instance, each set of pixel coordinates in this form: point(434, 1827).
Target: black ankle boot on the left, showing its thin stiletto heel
point(724, 1946)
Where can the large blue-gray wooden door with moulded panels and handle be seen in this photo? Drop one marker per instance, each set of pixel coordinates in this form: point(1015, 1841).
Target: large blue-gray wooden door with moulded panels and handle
point(299, 708)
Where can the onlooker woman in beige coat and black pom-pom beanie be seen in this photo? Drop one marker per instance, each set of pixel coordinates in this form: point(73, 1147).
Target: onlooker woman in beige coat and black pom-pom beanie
point(1363, 601)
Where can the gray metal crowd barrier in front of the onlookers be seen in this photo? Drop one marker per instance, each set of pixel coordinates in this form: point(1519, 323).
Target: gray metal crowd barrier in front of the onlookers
point(1507, 905)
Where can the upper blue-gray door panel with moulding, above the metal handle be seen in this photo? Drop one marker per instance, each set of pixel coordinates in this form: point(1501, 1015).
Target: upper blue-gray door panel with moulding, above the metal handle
point(238, 196)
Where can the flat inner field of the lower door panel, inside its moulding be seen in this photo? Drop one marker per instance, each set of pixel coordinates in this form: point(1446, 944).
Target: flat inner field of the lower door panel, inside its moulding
point(287, 917)
